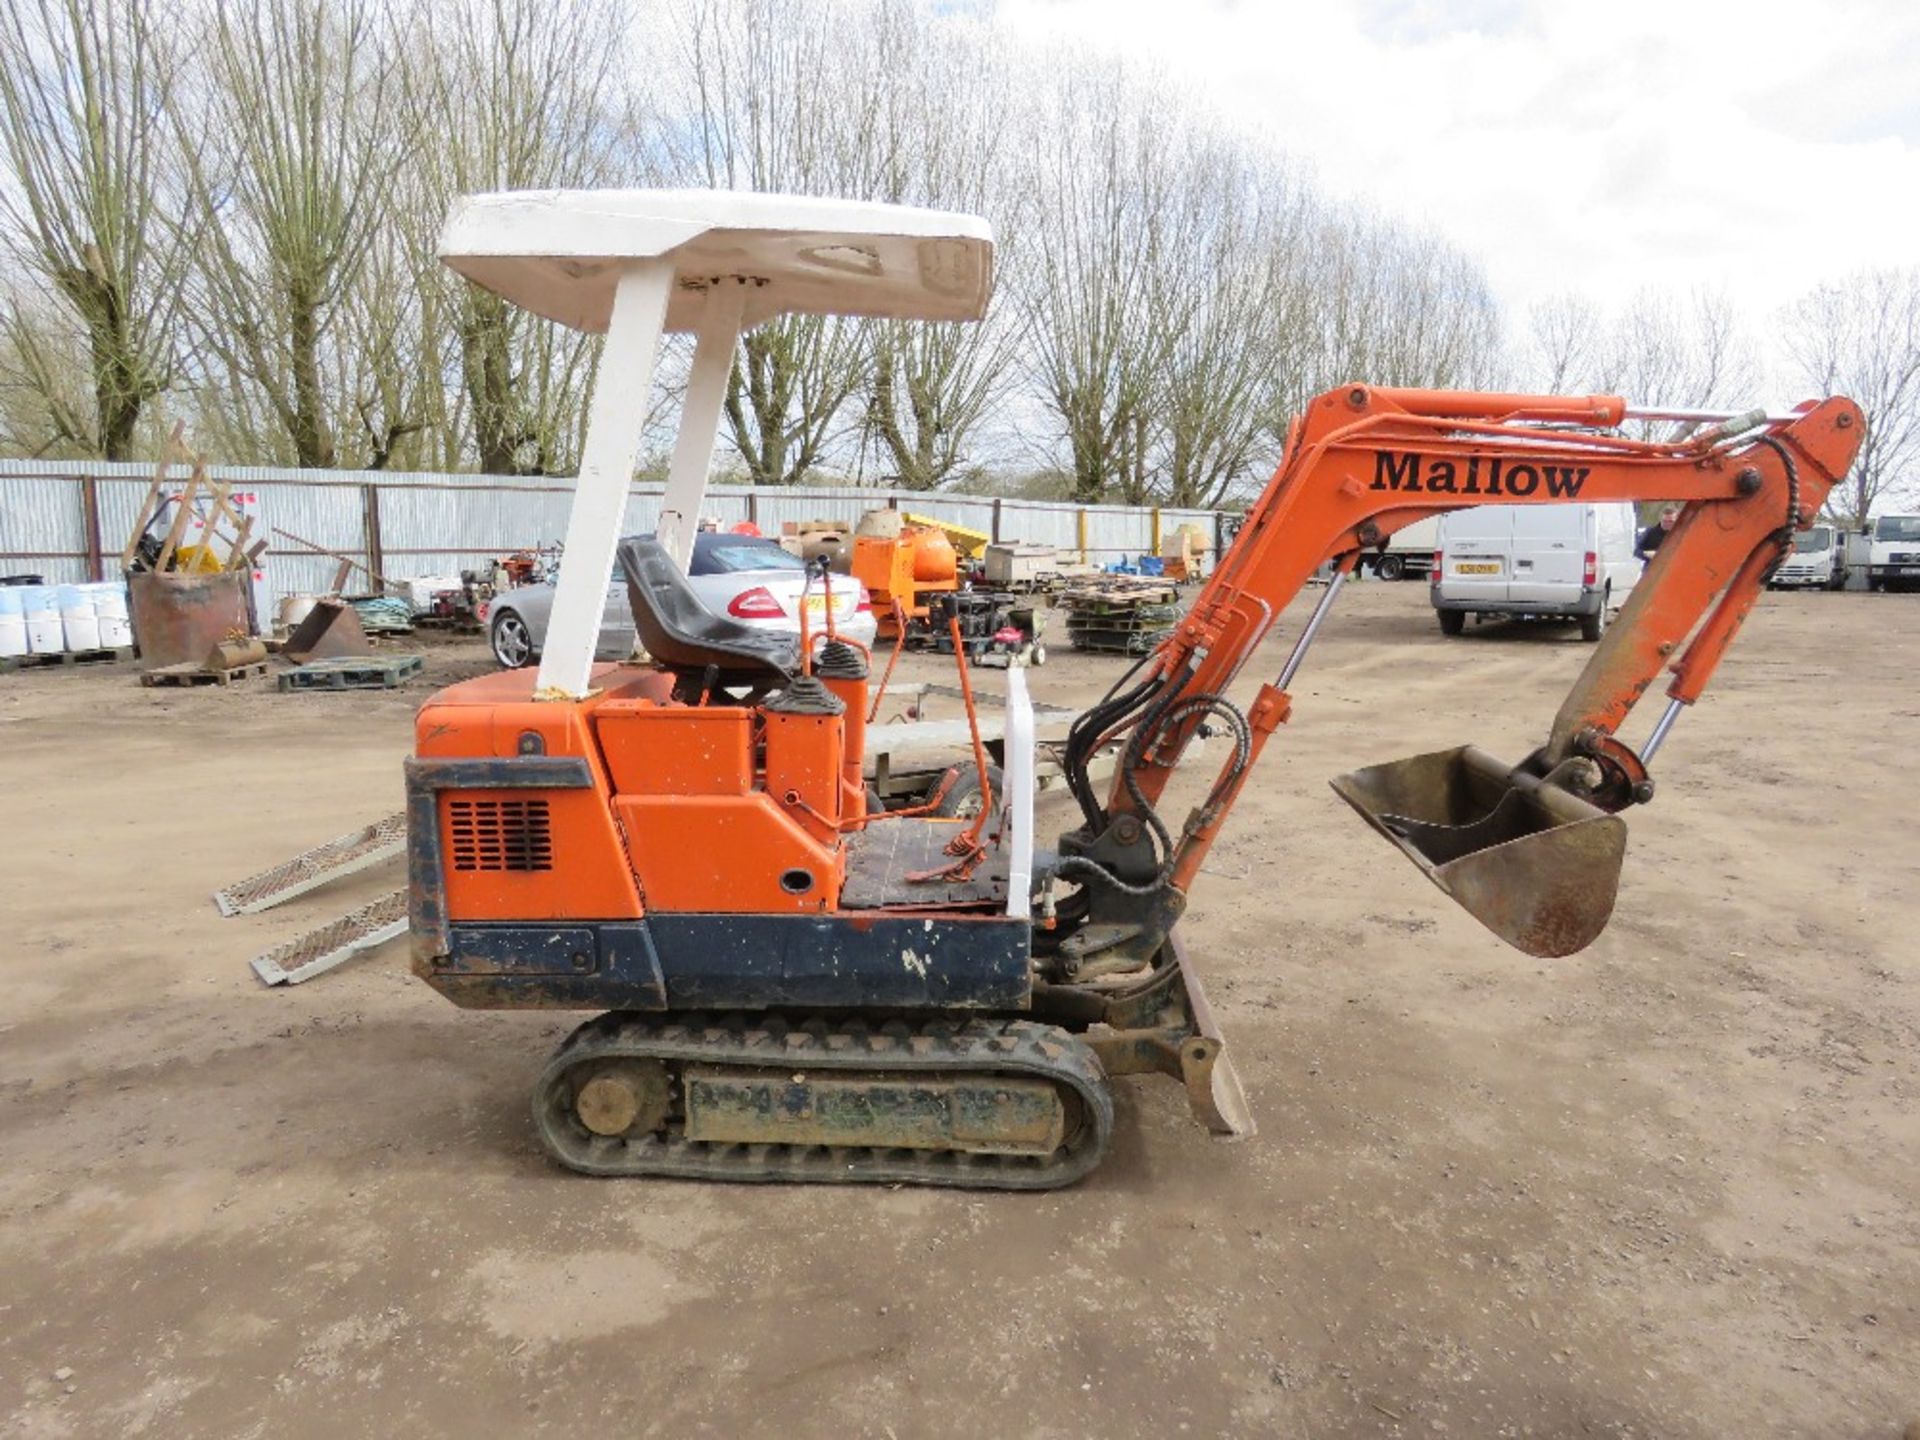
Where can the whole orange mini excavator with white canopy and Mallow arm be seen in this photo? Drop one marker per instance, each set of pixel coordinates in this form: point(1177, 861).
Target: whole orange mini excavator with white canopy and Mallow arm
point(794, 988)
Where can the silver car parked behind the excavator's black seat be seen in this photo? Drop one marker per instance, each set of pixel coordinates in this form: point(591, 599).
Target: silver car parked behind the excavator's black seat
point(744, 577)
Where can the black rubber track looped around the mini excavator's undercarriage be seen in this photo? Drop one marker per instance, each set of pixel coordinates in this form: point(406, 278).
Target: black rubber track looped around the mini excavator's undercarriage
point(771, 1042)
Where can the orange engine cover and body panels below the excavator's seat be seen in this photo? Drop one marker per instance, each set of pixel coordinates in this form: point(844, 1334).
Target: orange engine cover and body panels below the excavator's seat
point(683, 815)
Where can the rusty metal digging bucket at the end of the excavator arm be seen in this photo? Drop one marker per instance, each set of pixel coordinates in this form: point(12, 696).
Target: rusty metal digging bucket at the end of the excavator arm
point(1527, 859)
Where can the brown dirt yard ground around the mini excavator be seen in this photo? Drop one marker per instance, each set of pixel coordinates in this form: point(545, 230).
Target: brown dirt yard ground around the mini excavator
point(1666, 1188)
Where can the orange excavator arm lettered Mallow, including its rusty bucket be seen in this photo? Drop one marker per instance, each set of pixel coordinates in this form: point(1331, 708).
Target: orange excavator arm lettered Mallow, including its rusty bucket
point(1531, 850)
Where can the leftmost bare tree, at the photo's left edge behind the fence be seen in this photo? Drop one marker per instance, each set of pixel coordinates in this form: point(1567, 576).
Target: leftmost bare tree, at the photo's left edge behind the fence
point(84, 85)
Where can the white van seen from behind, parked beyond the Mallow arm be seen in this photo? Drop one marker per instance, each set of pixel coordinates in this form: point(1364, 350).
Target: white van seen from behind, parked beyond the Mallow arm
point(1535, 564)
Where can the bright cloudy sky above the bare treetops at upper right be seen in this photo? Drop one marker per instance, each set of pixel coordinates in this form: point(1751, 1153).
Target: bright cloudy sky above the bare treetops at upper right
point(1760, 149)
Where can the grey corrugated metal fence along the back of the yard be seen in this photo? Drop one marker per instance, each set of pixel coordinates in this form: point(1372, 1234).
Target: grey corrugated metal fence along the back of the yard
point(70, 519)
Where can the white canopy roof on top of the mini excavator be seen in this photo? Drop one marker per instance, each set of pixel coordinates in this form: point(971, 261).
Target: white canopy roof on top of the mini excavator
point(560, 252)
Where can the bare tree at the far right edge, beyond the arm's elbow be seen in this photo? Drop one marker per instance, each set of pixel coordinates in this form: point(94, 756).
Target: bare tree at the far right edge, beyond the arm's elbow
point(1861, 339)
